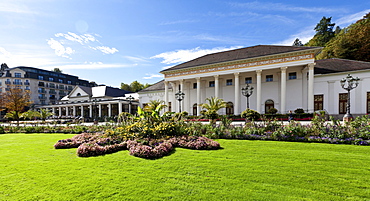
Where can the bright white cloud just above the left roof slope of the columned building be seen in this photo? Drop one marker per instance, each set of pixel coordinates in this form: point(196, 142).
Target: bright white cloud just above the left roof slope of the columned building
point(179, 56)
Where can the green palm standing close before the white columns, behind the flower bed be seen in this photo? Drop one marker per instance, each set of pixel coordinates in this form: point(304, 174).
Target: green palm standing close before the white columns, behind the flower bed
point(213, 106)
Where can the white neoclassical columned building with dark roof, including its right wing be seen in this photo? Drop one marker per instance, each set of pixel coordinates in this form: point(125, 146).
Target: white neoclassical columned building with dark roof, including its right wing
point(283, 77)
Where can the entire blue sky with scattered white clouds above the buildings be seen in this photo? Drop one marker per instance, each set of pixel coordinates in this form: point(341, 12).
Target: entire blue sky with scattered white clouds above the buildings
point(114, 41)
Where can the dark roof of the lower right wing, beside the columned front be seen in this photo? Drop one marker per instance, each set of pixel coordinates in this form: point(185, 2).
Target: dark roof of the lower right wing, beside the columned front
point(334, 65)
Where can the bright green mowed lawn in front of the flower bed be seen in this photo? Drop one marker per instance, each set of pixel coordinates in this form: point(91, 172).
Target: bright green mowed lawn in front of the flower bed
point(31, 169)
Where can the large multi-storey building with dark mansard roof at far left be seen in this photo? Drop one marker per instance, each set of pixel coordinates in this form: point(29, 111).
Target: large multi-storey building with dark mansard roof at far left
point(46, 87)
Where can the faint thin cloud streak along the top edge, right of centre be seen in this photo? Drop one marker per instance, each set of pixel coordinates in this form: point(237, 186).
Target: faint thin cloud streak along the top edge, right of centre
point(269, 6)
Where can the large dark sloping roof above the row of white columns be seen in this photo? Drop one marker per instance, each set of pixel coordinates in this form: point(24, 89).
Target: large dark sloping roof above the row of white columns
point(237, 54)
